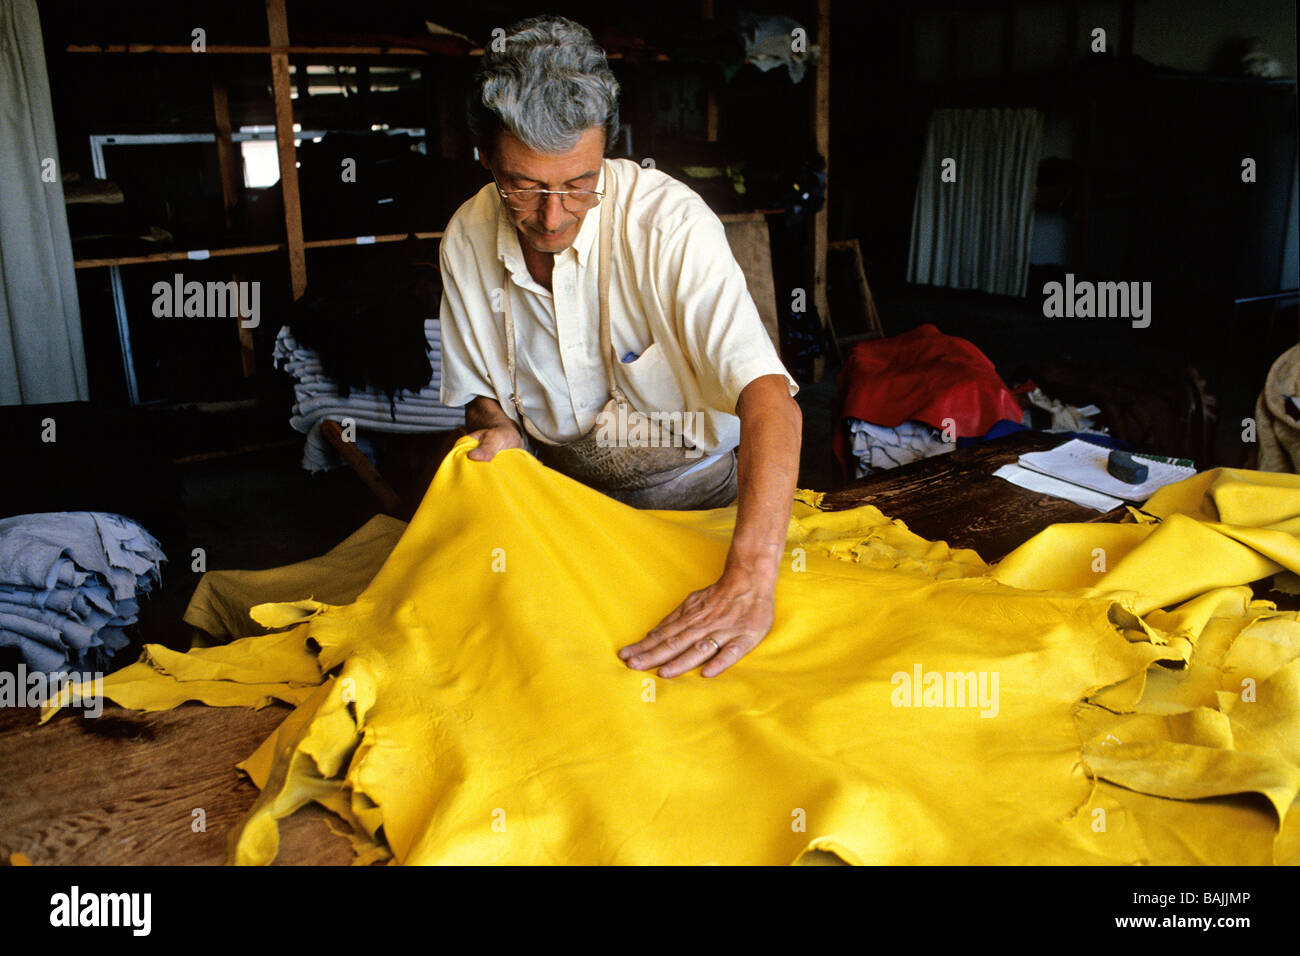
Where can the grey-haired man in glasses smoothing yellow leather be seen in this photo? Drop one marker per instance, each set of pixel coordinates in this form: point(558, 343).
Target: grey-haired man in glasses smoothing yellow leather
point(541, 341)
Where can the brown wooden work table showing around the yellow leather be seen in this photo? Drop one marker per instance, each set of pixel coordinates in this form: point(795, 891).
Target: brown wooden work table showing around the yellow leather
point(123, 789)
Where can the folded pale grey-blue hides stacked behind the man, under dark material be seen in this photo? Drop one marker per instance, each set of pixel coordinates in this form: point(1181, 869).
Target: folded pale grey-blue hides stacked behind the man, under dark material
point(320, 399)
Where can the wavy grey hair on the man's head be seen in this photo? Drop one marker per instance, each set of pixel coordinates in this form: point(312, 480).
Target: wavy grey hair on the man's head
point(547, 84)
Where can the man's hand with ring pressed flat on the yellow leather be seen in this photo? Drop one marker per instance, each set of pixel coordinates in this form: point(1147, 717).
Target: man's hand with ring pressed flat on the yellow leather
point(714, 628)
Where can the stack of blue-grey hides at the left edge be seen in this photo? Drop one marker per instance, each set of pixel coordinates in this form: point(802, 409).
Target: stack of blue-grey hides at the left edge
point(71, 583)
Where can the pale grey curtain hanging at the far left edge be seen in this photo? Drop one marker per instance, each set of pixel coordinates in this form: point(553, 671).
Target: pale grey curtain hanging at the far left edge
point(42, 358)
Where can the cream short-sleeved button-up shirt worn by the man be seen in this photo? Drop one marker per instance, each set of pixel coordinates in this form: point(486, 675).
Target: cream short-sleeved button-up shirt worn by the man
point(678, 302)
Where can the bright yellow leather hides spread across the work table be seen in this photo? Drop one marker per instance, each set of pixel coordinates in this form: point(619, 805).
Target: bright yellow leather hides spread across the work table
point(912, 706)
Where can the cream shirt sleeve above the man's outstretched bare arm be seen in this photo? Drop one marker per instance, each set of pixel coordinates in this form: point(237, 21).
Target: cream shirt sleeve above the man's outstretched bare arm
point(718, 325)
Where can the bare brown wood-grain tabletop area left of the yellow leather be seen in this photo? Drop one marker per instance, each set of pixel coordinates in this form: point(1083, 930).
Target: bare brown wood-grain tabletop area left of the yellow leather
point(123, 788)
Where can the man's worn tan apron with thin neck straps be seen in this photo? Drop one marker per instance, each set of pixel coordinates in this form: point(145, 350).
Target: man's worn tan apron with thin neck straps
point(648, 478)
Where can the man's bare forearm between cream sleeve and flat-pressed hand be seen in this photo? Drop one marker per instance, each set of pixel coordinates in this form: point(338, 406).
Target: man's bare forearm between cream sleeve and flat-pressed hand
point(770, 436)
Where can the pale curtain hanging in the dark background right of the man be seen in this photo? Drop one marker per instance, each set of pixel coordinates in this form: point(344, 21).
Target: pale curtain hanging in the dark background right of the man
point(974, 233)
